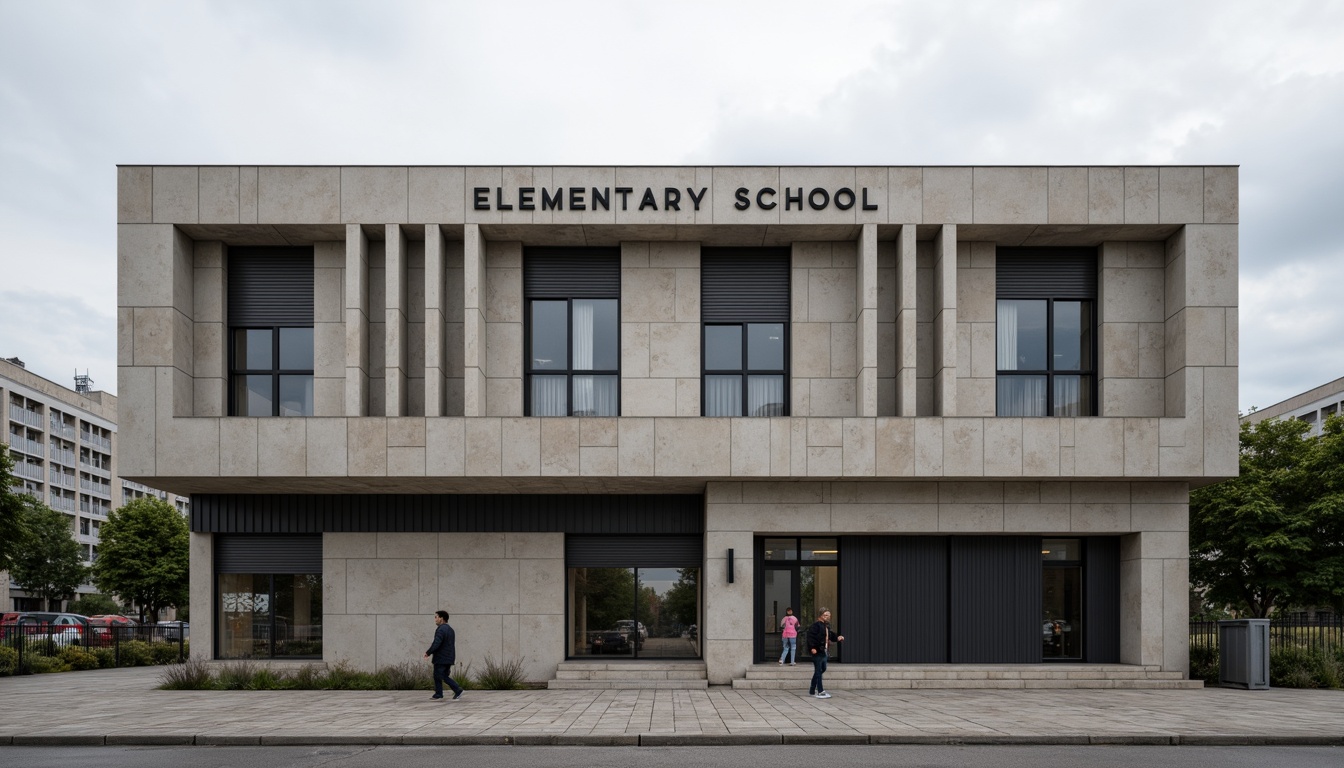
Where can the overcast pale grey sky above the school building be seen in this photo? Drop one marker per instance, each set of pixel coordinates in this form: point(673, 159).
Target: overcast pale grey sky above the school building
point(85, 87)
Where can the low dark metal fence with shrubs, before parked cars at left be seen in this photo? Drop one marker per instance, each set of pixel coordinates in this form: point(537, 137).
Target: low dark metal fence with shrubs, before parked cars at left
point(127, 646)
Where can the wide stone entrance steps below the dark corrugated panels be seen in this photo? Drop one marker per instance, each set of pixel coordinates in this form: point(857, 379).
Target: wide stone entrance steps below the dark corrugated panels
point(858, 677)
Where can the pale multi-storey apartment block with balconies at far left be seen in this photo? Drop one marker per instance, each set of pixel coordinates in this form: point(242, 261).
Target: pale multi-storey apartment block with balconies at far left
point(64, 445)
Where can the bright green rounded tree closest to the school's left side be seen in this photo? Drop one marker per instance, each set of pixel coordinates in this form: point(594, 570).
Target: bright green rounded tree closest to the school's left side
point(143, 556)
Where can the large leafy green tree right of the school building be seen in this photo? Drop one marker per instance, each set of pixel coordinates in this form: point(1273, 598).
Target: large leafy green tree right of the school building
point(1264, 539)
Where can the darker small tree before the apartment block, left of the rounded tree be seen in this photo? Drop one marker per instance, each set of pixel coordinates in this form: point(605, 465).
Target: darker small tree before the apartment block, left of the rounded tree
point(52, 567)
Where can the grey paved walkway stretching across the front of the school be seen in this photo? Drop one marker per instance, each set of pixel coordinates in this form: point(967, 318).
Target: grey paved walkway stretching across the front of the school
point(122, 707)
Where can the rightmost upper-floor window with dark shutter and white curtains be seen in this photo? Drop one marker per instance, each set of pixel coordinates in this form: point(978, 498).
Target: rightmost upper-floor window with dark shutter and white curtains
point(1046, 333)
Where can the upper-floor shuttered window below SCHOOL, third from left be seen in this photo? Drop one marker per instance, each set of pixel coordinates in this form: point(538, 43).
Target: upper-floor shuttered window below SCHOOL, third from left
point(745, 315)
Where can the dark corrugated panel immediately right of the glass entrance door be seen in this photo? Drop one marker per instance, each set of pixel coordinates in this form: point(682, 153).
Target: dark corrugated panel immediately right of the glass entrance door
point(894, 599)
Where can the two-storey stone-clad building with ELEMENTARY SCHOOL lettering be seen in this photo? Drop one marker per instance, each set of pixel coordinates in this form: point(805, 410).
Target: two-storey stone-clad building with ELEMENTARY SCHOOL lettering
point(634, 414)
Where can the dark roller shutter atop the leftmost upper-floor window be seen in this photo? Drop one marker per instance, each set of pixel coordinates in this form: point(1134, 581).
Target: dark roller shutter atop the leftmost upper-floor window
point(271, 287)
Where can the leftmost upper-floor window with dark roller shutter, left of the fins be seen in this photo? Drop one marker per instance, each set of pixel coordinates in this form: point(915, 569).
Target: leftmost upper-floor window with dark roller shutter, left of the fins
point(271, 332)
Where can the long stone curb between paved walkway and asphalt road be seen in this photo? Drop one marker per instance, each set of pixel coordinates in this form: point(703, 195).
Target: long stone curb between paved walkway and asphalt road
point(677, 740)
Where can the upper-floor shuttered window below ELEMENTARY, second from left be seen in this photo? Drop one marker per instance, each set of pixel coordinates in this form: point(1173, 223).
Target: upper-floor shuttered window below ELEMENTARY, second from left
point(573, 346)
